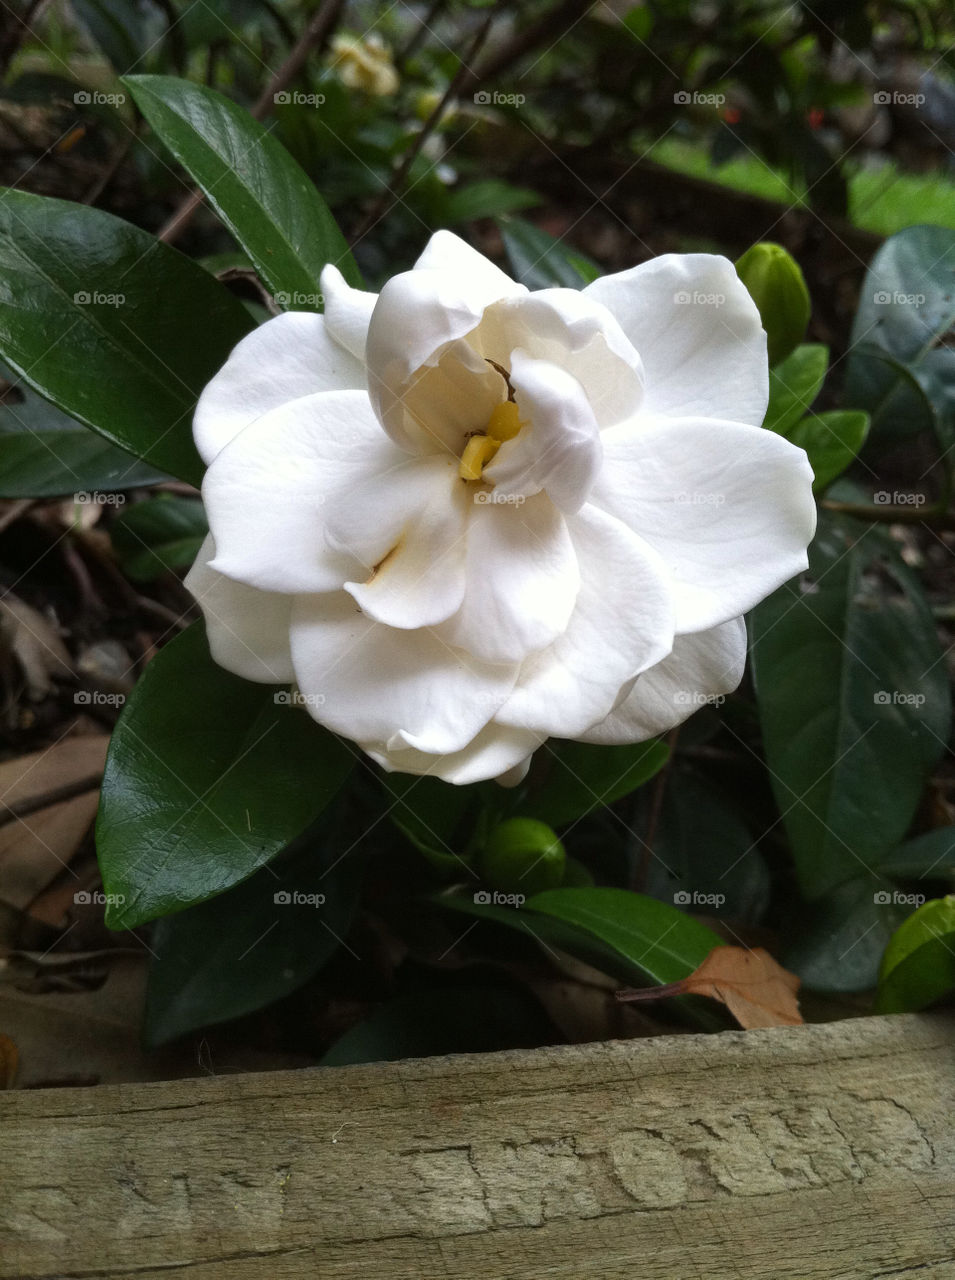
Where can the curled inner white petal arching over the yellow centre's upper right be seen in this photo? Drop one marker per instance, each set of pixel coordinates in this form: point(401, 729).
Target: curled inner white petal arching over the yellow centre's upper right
point(579, 335)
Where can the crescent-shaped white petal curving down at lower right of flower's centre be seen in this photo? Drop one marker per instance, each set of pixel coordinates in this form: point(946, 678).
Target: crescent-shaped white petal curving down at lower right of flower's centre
point(623, 625)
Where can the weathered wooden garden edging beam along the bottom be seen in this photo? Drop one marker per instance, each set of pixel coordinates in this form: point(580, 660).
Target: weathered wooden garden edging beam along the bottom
point(801, 1153)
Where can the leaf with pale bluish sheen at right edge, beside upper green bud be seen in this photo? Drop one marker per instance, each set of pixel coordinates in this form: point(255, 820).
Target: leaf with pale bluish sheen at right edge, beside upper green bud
point(906, 312)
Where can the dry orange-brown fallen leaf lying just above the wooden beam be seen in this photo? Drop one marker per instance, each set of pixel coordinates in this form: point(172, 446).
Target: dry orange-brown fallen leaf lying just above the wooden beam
point(757, 991)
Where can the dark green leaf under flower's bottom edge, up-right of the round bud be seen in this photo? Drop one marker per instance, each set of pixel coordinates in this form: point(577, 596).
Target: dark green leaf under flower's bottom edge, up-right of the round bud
point(579, 779)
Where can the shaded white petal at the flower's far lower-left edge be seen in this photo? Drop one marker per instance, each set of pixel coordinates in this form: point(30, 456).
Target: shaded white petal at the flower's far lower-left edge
point(248, 629)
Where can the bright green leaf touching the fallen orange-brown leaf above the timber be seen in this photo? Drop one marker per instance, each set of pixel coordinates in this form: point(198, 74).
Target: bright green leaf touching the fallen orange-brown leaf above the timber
point(654, 936)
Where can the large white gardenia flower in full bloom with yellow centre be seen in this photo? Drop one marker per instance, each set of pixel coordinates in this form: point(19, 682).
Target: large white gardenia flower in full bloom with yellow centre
point(464, 518)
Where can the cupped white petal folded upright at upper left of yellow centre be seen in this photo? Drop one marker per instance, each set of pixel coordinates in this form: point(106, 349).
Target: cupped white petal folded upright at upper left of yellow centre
point(418, 316)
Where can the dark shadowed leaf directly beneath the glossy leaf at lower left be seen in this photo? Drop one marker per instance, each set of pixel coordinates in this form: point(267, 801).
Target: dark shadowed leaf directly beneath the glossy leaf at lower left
point(253, 945)
